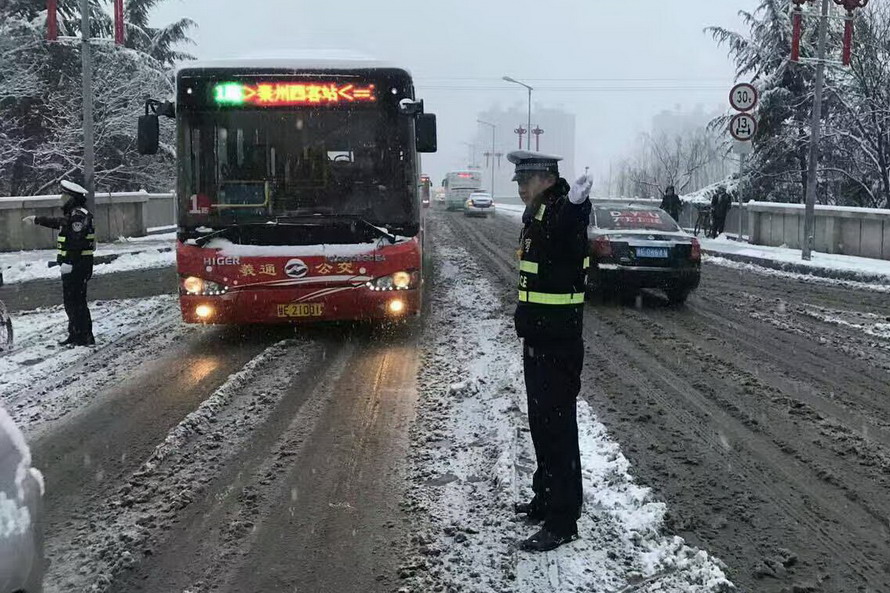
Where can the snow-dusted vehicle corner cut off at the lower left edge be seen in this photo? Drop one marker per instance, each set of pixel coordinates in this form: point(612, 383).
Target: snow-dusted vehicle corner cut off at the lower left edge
point(21, 514)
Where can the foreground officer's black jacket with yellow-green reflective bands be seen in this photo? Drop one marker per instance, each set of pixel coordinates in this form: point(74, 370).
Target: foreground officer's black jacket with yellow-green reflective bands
point(553, 263)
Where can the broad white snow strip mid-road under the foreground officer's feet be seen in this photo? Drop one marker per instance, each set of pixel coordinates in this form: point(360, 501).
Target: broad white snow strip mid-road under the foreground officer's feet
point(472, 459)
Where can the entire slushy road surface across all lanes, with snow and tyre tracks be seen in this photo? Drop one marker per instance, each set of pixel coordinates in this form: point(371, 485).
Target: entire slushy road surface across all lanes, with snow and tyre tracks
point(740, 438)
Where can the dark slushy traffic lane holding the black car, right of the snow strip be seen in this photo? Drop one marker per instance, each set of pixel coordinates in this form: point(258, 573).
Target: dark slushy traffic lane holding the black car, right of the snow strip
point(758, 413)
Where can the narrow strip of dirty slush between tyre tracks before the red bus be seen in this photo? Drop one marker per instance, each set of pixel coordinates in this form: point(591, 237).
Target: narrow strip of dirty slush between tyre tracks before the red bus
point(113, 537)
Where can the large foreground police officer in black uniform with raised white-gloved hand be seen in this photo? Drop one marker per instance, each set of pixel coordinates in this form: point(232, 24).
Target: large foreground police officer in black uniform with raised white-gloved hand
point(553, 255)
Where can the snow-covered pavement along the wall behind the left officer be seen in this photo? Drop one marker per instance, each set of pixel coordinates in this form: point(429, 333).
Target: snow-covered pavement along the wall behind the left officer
point(153, 251)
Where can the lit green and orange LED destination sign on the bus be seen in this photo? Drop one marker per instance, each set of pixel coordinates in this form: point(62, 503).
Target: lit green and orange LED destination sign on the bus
point(291, 94)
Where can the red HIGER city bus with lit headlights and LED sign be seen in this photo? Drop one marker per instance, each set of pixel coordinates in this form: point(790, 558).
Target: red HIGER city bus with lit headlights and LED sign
point(298, 193)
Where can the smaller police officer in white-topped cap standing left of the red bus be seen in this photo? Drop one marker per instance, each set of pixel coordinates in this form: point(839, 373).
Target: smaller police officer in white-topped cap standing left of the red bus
point(76, 243)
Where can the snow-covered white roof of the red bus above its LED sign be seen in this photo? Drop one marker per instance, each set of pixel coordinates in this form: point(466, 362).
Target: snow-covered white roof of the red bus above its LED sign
point(298, 61)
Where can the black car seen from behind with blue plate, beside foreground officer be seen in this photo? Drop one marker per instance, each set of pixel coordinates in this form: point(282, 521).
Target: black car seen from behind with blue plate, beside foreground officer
point(635, 247)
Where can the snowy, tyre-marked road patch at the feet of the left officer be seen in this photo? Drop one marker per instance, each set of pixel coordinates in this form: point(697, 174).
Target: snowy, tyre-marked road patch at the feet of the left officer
point(41, 381)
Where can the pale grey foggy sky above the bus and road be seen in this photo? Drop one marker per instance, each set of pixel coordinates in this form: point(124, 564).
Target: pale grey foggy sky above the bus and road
point(455, 47)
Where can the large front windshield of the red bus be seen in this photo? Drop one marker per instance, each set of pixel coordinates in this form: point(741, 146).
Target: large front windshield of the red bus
point(253, 166)
